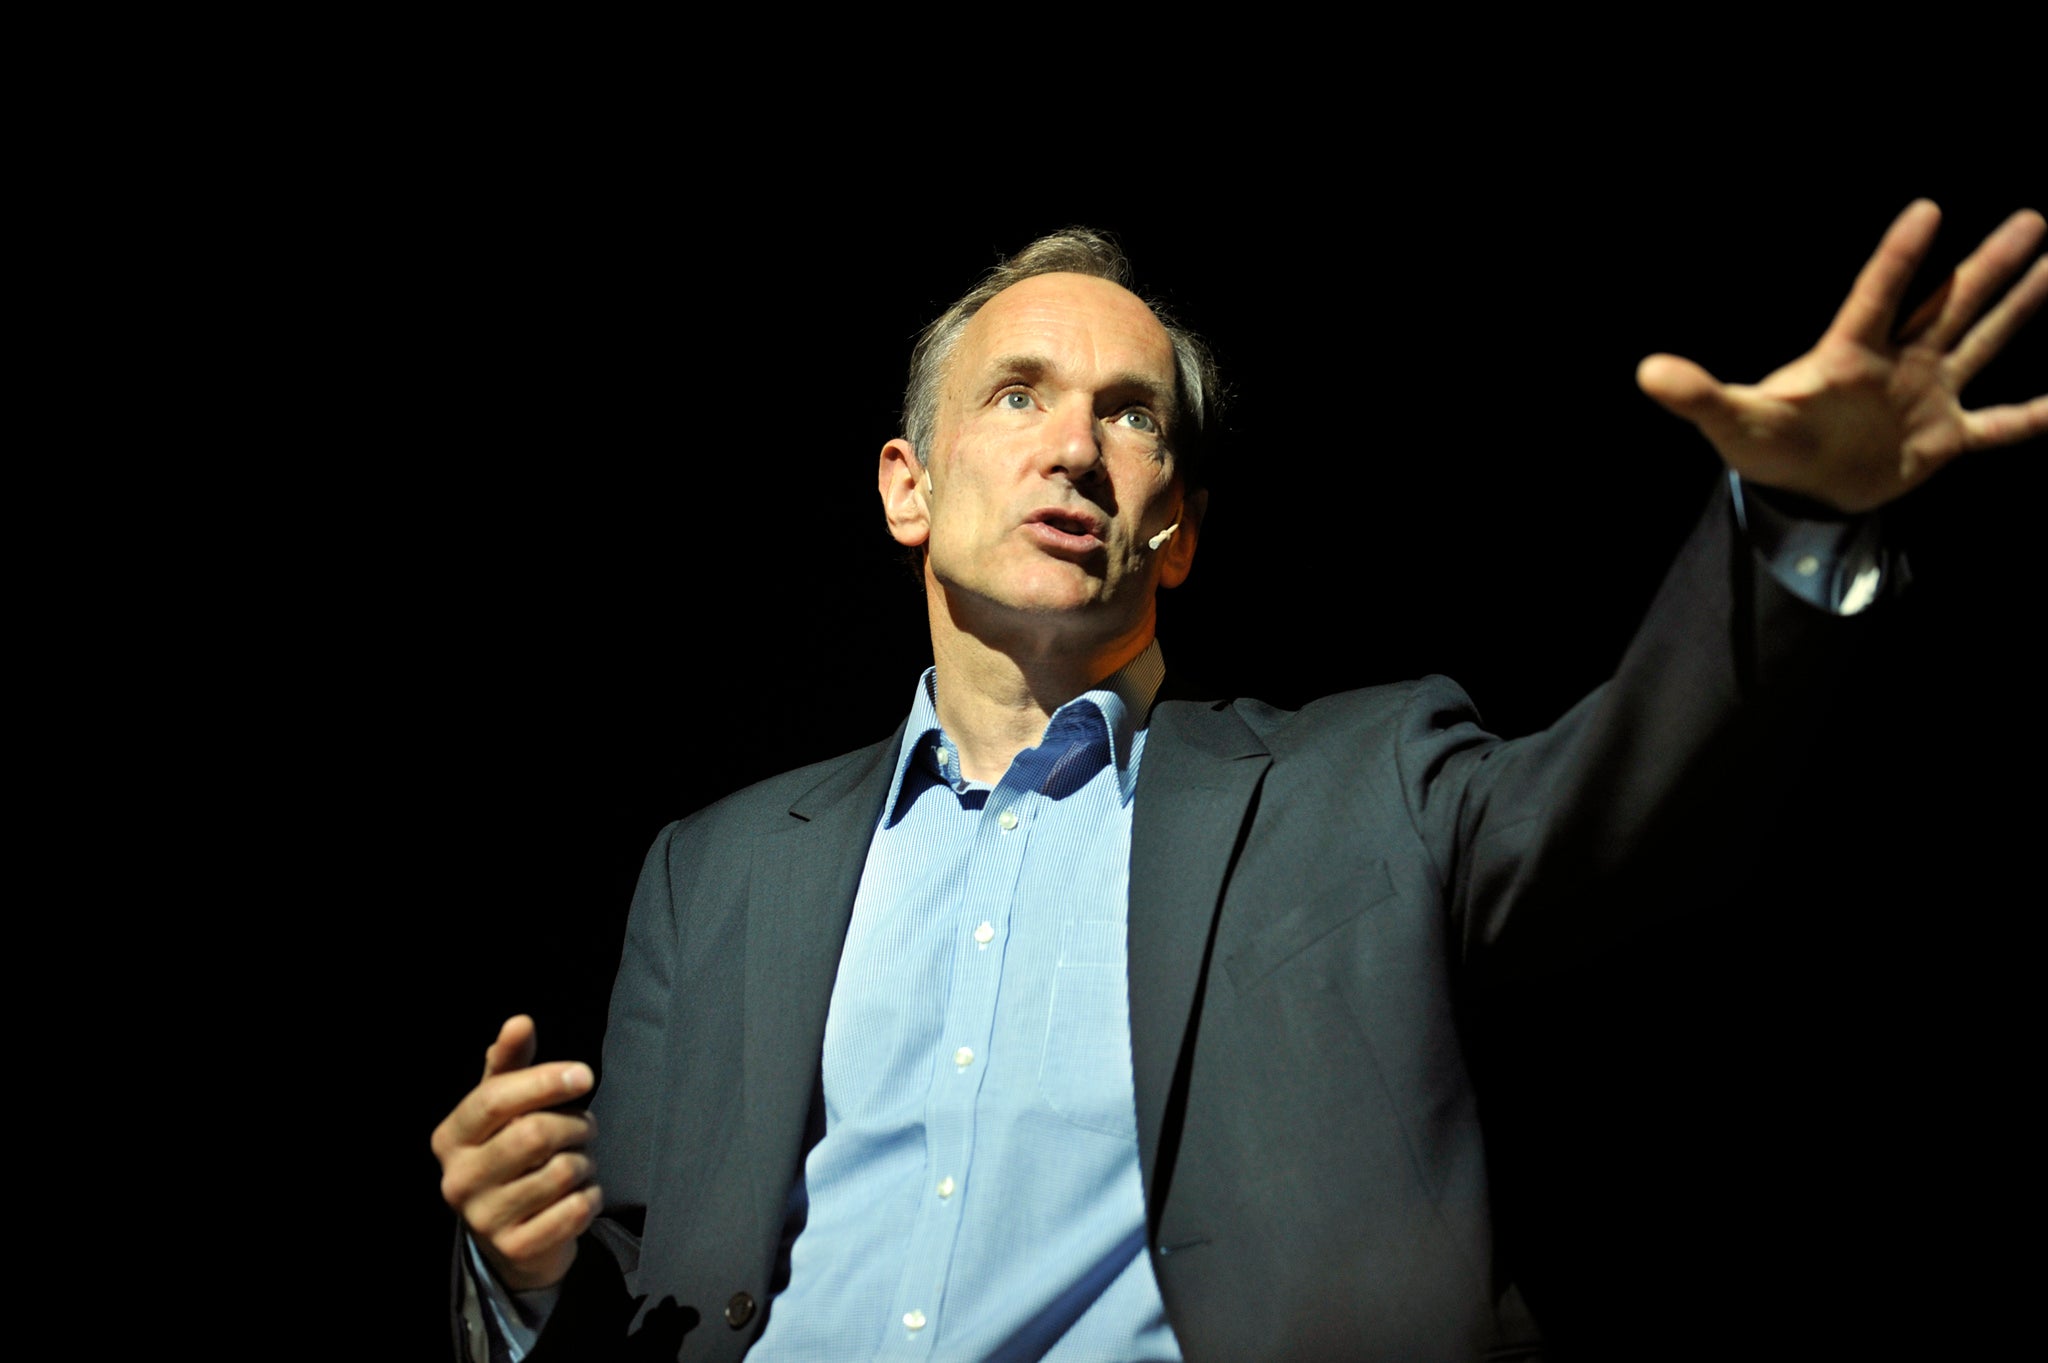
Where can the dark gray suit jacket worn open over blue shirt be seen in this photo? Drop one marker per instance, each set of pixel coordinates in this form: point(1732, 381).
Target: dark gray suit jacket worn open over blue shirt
point(1314, 897)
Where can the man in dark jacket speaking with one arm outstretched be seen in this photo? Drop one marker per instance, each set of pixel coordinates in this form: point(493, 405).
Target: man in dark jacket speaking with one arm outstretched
point(1072, 1022)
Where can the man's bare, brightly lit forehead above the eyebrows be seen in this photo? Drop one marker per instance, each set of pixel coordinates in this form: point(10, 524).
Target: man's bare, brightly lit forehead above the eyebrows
point(1078, 322)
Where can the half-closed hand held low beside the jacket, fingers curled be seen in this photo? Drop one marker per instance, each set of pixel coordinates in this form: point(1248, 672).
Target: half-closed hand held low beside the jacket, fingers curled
point(517, 1172)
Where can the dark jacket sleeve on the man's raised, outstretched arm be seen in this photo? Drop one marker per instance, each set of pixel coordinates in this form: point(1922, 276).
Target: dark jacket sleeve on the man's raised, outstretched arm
point(1654, 783)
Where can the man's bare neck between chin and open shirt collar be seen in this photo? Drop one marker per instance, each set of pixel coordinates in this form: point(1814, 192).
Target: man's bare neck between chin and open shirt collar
point(998, 689)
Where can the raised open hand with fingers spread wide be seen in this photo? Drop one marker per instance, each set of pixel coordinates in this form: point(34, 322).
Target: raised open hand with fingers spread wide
point(1875, 410)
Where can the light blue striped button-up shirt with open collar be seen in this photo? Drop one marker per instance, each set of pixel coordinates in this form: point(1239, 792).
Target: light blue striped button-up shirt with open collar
point(978, 1194)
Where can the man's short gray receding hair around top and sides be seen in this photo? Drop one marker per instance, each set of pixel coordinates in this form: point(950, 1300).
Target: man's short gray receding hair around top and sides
point(1076, 251)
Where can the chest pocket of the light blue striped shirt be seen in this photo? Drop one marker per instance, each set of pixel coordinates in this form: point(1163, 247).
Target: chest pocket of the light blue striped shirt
point(1084, 1071)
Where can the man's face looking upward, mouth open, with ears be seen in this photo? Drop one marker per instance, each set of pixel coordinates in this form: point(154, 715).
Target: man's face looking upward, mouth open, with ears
point(1050, 461)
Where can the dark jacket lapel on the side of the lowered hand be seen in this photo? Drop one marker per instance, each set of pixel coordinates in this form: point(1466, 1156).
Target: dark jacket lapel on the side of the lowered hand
point(800, 902)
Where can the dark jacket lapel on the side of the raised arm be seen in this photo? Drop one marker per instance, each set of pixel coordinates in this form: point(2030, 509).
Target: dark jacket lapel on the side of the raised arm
point(1197, 783)
